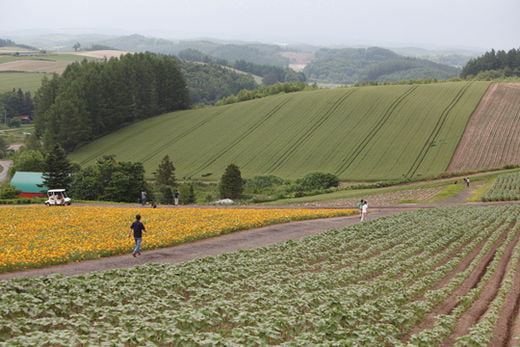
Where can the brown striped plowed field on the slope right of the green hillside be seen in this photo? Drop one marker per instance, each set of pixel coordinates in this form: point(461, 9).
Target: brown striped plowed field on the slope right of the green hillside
point(491, 136)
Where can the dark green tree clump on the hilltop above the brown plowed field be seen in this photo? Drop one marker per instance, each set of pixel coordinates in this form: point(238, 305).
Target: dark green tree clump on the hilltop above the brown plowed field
point(502, 63)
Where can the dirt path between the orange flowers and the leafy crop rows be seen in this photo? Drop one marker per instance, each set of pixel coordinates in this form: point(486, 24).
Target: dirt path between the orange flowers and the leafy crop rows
point(241, 240)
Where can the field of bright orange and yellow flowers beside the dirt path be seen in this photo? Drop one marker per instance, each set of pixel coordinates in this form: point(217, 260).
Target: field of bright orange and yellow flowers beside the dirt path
point(37, 236)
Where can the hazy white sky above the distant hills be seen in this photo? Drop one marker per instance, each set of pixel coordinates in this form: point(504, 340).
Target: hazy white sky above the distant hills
point(428, 23)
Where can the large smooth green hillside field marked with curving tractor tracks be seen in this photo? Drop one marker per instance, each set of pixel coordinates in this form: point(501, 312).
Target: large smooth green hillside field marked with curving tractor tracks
point(364, 133)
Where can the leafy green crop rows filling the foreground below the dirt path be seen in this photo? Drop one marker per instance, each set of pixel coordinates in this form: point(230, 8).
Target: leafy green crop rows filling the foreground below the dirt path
point(367, 284)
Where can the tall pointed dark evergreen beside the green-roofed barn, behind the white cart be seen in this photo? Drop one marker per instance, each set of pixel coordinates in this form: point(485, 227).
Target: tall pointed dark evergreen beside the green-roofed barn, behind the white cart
point(57, 169)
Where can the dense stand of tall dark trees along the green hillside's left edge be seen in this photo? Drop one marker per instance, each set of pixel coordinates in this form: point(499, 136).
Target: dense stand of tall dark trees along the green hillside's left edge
point(92, 99)
